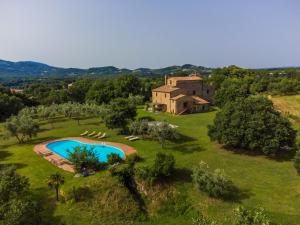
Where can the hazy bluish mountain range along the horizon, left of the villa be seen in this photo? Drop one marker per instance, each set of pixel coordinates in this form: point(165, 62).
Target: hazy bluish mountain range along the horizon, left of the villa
point(36, 69)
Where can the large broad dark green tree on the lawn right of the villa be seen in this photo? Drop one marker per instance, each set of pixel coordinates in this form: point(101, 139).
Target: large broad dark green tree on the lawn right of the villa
point(253, 124)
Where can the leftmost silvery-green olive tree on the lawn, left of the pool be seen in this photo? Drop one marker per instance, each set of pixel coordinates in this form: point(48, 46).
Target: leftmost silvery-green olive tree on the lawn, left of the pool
point(22, 127)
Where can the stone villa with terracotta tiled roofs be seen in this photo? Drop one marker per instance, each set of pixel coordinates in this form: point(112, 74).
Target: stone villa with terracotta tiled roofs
point(182, 95)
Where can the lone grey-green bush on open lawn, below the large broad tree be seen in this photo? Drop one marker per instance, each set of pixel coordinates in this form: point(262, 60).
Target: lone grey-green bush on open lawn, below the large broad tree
point(215, 183)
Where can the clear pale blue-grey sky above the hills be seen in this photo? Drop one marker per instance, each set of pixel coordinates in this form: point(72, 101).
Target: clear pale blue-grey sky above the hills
point(151, 33)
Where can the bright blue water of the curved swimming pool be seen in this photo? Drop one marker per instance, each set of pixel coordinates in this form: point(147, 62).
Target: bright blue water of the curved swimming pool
point(102, 151)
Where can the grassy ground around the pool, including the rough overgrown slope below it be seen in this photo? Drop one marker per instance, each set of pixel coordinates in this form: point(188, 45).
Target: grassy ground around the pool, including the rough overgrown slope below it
point(261, 181)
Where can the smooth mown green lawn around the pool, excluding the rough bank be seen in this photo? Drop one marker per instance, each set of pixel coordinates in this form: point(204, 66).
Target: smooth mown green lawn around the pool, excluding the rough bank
point(264, 182)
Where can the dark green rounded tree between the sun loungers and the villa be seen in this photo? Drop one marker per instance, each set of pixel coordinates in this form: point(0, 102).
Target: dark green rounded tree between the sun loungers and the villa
point(118, 113)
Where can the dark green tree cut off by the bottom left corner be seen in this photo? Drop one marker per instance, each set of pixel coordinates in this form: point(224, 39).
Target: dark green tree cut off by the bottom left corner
point(16, 204)
